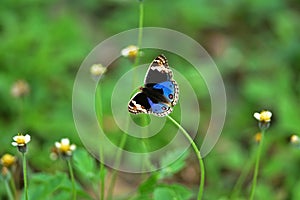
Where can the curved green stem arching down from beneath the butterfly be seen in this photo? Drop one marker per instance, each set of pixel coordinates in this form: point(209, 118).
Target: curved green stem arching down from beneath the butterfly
point(201, 164)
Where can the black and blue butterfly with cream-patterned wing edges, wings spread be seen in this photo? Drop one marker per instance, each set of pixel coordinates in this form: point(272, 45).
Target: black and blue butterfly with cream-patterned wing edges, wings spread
point(160, 92)
